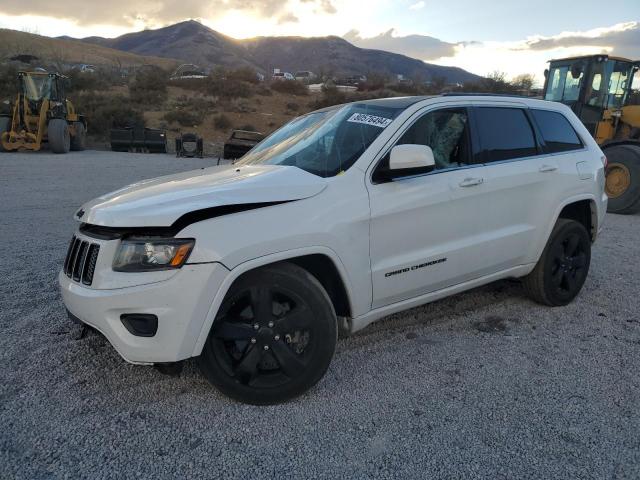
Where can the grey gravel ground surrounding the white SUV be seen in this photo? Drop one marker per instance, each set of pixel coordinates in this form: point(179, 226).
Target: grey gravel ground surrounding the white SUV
point(485, 384)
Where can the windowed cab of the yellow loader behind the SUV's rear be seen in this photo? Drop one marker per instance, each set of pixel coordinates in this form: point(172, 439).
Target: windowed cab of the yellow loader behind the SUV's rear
point(592, 86)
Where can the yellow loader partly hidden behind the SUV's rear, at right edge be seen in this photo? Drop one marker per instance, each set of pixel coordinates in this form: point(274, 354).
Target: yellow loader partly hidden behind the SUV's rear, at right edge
point(604, 92)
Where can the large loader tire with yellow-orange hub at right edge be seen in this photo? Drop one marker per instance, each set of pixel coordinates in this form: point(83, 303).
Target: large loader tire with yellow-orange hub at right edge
point(623, 179)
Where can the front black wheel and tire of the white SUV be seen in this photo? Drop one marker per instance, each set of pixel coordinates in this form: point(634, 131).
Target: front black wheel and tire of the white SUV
point(273, 337)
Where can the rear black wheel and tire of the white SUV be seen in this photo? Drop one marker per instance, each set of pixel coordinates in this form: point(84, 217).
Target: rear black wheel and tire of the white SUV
point(562, 269)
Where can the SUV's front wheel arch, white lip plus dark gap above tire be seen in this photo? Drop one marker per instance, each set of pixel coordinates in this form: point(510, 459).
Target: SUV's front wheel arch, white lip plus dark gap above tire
point(321, 262)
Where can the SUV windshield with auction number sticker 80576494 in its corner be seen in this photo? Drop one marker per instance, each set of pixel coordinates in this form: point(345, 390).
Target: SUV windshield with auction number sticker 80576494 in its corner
point(326, 142)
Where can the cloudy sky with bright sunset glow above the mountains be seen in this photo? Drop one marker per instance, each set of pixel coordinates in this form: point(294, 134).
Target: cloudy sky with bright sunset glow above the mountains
point(481, 37)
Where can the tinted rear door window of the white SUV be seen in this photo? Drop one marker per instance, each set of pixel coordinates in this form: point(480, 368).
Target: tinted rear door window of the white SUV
point(505, 133)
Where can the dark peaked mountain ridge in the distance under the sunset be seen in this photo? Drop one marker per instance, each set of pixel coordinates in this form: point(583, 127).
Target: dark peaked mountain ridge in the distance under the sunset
point(192, 42)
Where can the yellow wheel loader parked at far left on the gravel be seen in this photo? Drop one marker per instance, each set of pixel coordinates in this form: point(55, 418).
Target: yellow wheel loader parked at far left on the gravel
point(42, 113)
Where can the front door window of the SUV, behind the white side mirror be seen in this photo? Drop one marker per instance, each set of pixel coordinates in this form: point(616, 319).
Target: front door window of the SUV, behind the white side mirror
point(445, 131)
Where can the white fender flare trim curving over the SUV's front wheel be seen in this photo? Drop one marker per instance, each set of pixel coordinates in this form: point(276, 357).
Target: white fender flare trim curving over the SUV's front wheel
point(252, 264)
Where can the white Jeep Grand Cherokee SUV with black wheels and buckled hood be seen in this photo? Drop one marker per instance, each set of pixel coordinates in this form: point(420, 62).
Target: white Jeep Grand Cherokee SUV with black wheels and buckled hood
point(341, 217)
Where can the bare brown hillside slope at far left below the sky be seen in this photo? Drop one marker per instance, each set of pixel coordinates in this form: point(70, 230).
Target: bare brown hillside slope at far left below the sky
point(65, 51)
